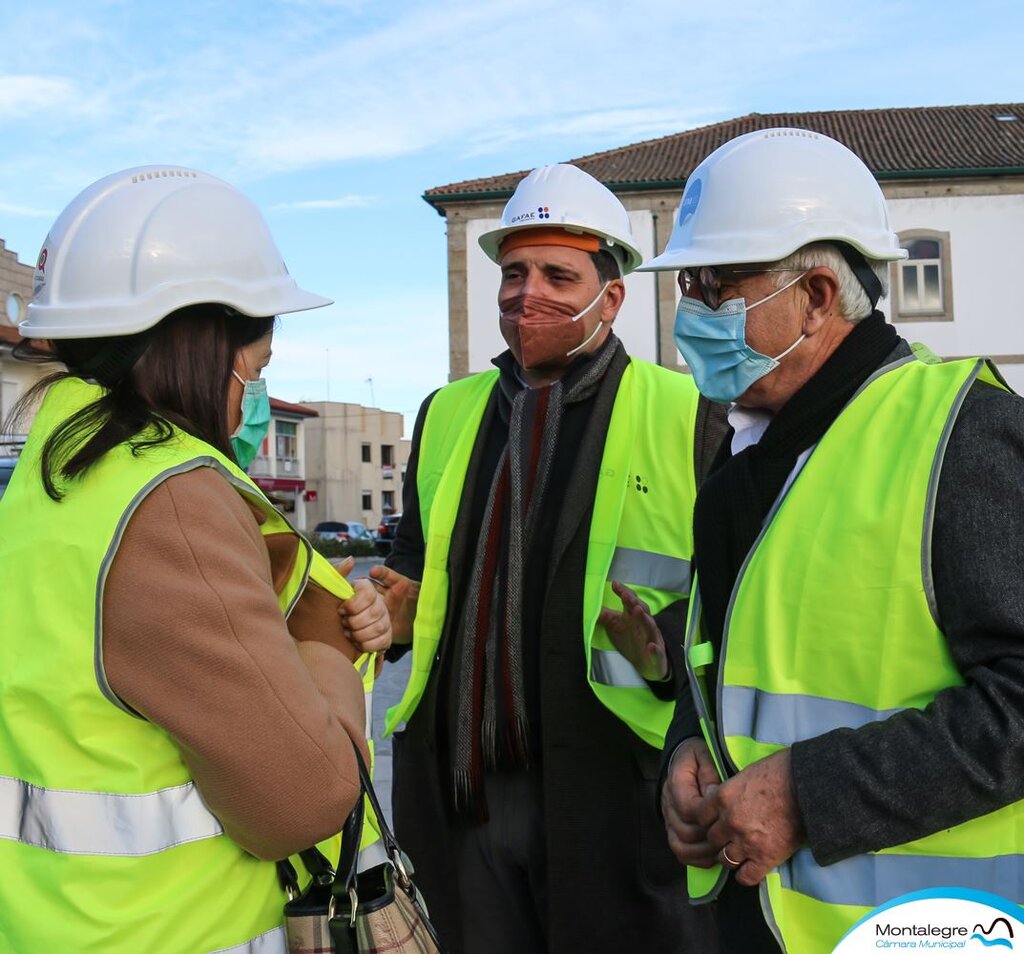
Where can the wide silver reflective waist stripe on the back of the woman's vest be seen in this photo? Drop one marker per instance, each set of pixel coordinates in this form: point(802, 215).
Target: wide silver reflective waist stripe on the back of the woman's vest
point(101, 823)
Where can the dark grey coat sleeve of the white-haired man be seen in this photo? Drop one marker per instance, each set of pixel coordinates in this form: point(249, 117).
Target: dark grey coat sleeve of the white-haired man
point(963, 757)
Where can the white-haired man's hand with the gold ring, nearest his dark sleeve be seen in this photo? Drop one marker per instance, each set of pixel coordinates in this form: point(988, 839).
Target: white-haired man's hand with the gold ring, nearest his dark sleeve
point(753, 819)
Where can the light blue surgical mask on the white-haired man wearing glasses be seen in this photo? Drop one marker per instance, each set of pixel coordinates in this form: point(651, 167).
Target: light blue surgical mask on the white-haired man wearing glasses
point(713, 341)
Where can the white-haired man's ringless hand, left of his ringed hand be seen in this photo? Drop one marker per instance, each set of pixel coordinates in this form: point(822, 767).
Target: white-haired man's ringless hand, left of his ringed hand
point(692, 772)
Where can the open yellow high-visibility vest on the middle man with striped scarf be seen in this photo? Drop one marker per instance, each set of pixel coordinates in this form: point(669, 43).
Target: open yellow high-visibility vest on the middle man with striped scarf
point(641, 532)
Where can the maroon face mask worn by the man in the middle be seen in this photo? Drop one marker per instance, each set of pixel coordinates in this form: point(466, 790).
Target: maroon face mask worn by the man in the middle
point(545, 334)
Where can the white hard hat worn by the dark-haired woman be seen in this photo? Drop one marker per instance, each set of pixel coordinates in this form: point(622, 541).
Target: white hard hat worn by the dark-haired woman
point(141, 244)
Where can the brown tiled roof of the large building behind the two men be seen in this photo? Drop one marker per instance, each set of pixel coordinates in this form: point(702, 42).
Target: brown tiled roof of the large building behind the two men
point(924, 141)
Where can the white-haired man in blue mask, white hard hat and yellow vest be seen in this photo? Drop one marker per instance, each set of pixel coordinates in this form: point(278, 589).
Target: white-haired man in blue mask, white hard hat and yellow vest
point(856, 730)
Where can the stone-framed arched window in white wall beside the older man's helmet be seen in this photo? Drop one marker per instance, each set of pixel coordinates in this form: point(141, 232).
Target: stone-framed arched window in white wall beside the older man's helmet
point(923, 283)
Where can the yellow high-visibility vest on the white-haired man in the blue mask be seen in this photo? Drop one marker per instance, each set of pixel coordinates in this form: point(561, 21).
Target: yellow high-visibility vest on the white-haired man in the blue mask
point(820, 637)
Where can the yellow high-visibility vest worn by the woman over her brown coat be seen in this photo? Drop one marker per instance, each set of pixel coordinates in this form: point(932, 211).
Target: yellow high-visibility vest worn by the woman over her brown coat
point(113, 846)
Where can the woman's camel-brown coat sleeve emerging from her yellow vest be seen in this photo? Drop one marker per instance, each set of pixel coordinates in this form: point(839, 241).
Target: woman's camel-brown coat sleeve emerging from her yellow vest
point(263, 709)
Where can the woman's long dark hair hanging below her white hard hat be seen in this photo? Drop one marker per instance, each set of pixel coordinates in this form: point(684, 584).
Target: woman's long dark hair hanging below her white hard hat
point(178, 373)
